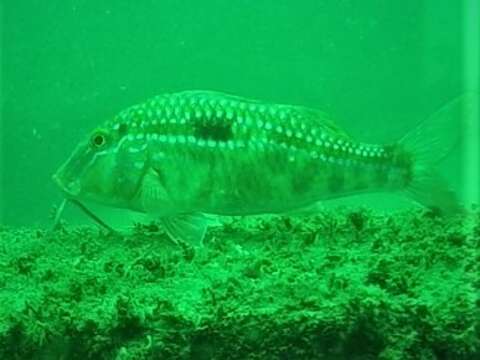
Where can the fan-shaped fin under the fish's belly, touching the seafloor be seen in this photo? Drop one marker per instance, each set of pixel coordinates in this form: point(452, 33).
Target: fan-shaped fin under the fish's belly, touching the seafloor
point(189, 228)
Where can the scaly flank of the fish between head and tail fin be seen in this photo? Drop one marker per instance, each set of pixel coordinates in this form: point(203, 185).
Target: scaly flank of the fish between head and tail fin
point(294, 154)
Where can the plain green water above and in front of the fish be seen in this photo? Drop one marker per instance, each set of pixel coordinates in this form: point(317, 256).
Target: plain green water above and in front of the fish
point(378, 67)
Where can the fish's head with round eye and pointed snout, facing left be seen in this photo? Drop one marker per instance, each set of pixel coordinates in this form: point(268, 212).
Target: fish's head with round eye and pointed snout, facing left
point(88, 174)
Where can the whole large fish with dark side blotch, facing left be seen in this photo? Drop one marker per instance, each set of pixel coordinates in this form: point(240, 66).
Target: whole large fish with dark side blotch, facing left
point(186, 157)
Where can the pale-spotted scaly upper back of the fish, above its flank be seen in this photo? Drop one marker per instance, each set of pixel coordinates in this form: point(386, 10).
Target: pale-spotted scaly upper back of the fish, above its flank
point(293, 127)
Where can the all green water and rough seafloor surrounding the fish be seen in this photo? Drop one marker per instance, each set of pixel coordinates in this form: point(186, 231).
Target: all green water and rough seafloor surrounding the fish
point(378, 278)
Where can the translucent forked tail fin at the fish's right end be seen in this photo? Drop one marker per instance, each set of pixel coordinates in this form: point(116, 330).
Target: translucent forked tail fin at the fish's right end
point(430, 143)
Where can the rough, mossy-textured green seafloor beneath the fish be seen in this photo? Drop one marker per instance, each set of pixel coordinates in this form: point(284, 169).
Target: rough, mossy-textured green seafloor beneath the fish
point(344, 284)
